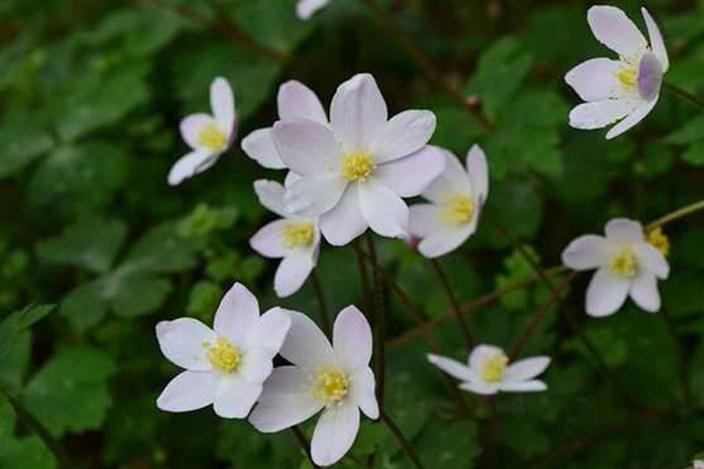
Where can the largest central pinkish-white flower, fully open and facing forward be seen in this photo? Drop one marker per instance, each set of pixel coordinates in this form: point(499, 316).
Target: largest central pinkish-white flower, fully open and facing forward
point(354, 172)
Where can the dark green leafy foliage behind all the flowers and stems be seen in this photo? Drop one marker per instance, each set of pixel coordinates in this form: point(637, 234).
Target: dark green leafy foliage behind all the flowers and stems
point(91, 93)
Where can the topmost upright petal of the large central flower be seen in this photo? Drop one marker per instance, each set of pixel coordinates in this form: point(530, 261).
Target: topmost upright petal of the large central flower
point(358, 112)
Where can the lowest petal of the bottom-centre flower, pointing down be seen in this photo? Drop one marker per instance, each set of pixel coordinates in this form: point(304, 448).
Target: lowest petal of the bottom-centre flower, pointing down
point(334, 433)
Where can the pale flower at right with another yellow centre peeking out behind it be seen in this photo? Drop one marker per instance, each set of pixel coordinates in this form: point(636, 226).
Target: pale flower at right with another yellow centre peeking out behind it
point(626, 263)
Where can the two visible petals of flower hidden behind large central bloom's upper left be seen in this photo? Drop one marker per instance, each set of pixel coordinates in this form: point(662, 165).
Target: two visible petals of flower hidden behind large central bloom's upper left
point(294, 100)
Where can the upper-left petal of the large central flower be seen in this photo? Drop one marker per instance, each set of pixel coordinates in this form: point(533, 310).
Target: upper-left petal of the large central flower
point(306, 147)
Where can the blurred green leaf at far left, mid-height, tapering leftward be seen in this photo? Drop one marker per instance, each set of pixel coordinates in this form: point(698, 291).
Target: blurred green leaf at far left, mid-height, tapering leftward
point(91, 244)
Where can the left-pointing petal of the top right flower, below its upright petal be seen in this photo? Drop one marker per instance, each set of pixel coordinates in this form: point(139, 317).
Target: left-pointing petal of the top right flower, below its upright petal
point(595, 79)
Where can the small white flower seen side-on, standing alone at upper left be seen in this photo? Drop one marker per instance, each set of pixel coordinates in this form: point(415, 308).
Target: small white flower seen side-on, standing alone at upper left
point(208, 135)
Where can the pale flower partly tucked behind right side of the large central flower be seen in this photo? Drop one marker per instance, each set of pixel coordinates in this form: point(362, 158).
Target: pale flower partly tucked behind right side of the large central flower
point(457, 197)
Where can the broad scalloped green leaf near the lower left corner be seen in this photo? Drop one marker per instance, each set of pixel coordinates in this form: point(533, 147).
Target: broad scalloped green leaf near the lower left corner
point(69, 393)
